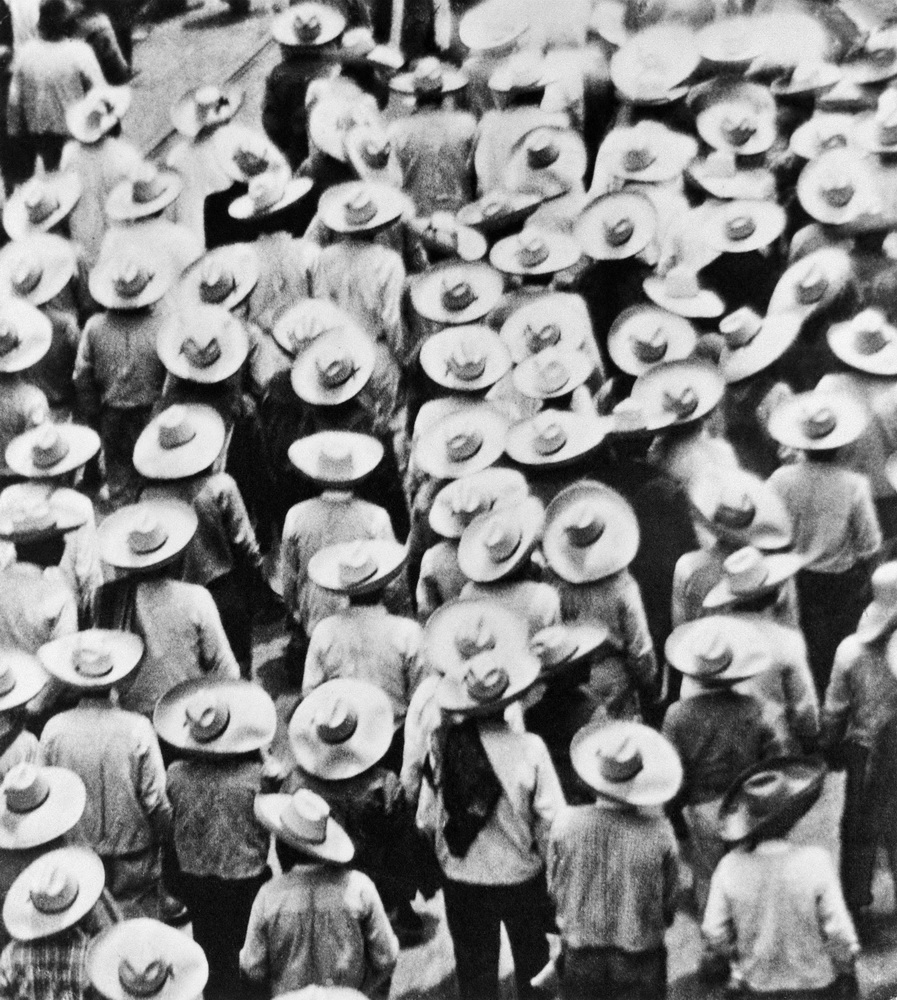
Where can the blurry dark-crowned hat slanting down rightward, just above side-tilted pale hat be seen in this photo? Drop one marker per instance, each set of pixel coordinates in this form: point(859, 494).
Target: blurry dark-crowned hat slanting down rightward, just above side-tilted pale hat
point(741, 509)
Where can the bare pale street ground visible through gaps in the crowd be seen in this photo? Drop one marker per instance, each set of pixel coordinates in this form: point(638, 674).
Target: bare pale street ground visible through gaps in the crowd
point(209, 45)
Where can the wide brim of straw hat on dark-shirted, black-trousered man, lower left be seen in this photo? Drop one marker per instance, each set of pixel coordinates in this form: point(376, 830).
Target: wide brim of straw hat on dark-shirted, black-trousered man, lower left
point(251, 726)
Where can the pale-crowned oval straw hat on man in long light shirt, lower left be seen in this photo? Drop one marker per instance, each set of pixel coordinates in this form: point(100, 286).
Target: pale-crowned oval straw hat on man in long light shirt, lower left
point(95, 659)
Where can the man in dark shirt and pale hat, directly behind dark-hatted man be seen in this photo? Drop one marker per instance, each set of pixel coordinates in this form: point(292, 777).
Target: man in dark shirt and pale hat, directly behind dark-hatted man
point(718, 726)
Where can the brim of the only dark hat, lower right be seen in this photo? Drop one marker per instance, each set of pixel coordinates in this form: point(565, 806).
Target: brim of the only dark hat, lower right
point(807, 776)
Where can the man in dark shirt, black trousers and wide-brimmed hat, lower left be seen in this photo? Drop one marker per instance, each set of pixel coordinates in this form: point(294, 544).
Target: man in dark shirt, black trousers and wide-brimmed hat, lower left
point(219, 732)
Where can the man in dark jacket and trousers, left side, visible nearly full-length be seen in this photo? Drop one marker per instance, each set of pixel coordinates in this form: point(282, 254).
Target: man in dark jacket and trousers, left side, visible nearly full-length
point(118, 374)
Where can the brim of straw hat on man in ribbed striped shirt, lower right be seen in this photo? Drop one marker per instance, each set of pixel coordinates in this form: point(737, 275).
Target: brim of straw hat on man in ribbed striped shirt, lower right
point(658, 780)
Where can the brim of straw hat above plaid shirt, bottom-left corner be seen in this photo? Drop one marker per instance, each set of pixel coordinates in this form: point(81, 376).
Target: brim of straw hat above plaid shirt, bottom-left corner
point(25, 923)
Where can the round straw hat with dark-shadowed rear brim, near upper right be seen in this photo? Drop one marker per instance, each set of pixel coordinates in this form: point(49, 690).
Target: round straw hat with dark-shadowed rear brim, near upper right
point(735, 116)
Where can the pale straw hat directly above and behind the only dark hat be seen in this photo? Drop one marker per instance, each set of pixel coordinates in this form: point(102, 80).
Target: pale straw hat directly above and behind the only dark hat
point(720, 649)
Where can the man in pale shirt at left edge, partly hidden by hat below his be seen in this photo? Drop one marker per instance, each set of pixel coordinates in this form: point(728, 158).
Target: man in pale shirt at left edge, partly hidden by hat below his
point(49, 458)
